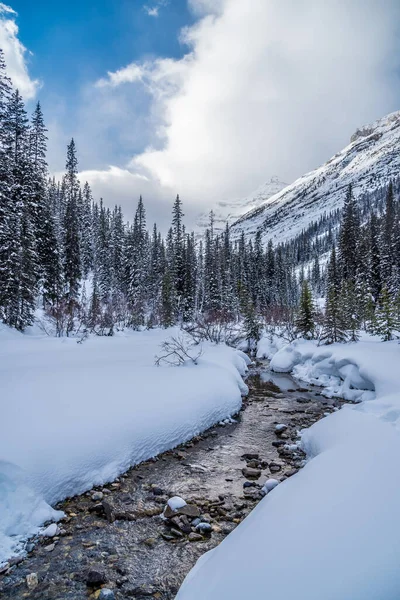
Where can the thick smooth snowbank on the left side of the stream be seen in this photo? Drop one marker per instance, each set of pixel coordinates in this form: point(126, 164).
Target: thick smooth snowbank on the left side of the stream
point(77, 415)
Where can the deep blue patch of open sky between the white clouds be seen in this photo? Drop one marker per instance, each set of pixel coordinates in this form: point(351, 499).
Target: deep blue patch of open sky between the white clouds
point(78, 41)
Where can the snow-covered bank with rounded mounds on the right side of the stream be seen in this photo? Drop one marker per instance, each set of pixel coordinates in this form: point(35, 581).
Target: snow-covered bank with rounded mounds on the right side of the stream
point(332, 531)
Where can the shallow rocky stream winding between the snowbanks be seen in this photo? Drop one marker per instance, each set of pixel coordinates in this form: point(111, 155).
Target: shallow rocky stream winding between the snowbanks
point(115, 536)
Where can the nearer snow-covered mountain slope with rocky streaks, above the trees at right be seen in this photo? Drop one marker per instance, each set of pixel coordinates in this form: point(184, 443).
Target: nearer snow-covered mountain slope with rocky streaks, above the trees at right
point(370, 160)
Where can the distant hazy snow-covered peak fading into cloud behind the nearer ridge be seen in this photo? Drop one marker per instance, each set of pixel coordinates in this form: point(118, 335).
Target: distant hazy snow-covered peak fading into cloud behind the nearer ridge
point(231, 211)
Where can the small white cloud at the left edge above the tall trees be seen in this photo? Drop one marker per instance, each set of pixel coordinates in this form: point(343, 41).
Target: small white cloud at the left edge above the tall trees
point(15, 54)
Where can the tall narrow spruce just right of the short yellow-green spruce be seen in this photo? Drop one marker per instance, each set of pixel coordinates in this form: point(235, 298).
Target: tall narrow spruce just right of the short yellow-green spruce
point(334, 327)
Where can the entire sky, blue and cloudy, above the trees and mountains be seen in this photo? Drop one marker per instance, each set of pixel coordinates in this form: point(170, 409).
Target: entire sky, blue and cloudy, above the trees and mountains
point(208, 98)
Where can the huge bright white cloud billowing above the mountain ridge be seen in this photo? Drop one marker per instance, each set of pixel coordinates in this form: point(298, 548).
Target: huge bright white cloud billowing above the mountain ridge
point(266, 88)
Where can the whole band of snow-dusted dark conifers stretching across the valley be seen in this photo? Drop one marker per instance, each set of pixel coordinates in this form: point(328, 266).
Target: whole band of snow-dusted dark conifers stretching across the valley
point(84, 267)
